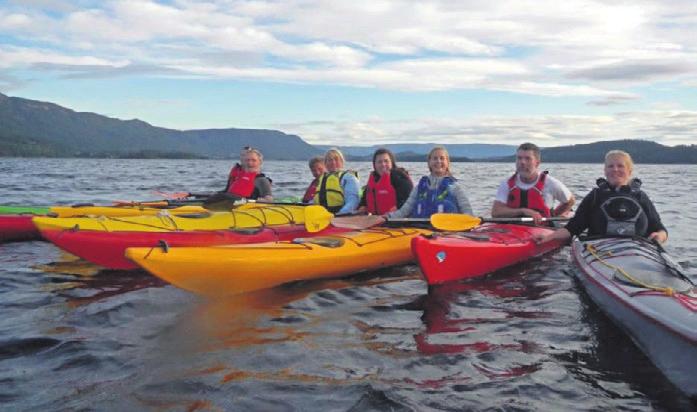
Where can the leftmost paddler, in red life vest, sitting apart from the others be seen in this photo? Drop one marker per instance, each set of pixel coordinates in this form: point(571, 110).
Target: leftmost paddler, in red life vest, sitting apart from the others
point(246, 179)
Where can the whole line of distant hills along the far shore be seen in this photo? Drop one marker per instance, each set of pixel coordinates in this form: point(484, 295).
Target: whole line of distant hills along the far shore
point(35, 128)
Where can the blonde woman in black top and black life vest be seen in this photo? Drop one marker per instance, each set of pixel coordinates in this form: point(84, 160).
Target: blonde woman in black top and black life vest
point(617, 207)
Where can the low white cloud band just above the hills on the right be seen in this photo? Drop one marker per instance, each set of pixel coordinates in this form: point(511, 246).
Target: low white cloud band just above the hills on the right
point(666, 127)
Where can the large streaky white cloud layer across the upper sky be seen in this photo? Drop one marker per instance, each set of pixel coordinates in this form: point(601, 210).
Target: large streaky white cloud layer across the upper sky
point(583, 48)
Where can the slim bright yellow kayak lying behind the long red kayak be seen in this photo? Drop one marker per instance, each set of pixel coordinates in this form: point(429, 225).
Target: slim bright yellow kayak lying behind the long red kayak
point(165, 221)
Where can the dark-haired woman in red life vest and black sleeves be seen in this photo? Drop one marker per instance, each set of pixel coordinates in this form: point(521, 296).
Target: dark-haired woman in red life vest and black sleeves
point(388, 186)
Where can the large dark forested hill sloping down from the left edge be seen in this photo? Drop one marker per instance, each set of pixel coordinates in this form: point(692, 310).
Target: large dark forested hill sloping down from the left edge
point(34, 128)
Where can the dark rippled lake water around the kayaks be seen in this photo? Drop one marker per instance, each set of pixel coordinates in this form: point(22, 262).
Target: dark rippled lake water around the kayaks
point(74, 337)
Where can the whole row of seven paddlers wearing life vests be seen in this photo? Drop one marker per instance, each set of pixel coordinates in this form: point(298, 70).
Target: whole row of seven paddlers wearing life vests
point(616, 207)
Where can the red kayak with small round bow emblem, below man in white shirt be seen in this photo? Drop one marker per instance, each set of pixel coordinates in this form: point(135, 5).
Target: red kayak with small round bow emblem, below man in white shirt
point(462, 255)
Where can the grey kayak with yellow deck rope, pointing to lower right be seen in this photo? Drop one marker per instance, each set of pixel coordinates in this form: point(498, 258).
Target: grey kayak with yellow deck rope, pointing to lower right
point(664, 327)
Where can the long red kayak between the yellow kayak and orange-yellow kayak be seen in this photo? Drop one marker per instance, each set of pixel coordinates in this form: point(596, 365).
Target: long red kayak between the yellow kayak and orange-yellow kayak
point(107, 248)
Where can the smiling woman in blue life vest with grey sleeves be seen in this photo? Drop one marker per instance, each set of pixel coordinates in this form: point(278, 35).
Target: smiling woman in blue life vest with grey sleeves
point(436, 193)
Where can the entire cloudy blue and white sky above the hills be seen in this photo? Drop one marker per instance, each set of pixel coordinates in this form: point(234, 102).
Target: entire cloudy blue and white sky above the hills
point(364, 72)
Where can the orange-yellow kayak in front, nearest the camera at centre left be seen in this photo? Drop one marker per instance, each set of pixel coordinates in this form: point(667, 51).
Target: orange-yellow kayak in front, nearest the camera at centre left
point(234, 269)
